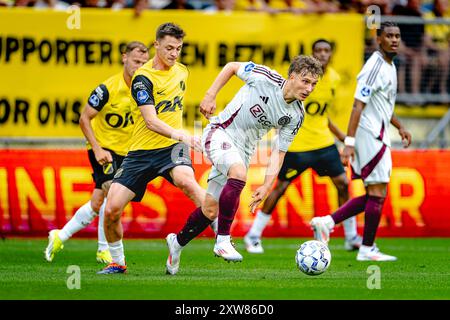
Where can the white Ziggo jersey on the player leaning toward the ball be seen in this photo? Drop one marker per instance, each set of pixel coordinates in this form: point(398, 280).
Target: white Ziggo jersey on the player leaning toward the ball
point(258, 107)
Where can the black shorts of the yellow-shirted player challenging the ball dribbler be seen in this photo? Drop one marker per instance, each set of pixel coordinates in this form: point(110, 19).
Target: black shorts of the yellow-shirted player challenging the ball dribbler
point(142, 166)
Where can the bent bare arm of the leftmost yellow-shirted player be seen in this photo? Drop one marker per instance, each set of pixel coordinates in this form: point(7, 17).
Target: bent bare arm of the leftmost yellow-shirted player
point(101, 155)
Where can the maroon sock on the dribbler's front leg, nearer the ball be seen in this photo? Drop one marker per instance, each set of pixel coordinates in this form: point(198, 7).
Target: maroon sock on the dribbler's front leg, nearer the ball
point(228, 204)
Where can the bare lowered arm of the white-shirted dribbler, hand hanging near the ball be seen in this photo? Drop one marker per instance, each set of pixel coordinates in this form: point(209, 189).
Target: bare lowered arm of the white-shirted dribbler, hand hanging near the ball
point(273, 168)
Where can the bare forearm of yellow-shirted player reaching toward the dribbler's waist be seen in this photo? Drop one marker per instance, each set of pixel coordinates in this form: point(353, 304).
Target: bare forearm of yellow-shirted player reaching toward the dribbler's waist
point(157, 125)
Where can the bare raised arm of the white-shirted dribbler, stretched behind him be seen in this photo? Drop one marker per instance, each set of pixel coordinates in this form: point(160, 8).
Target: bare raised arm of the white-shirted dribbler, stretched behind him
point(208, 104)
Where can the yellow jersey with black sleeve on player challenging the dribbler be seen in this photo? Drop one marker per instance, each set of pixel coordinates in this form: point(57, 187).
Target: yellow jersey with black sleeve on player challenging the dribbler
point(163, 89)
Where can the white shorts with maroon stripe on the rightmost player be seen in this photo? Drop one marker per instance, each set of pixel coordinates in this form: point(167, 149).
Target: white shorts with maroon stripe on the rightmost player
point(373, 162)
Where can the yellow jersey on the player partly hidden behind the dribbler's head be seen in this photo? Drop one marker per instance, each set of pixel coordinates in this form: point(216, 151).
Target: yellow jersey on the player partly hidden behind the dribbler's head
point(314, 133)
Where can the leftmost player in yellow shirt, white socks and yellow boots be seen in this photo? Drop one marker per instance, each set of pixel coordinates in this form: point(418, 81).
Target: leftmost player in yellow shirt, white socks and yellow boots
point(107, 124)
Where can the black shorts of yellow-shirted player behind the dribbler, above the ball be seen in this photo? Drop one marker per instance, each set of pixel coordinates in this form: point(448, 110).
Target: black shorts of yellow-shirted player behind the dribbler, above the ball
point(325, 161)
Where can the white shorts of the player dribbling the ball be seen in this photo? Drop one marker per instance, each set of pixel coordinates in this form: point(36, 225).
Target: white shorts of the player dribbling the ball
point(222, 152)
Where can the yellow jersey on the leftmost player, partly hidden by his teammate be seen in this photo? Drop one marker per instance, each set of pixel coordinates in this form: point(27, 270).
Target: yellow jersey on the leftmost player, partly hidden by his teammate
point(113, 124)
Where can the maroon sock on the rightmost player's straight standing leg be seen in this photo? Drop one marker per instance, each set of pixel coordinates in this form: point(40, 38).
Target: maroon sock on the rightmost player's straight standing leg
point(374, 207)
